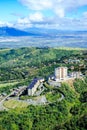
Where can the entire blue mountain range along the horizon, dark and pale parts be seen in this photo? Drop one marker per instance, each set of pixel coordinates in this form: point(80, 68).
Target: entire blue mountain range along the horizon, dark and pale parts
point(10, 31)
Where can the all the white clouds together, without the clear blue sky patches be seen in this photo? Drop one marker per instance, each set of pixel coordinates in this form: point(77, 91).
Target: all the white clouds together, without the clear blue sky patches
point(58, 19)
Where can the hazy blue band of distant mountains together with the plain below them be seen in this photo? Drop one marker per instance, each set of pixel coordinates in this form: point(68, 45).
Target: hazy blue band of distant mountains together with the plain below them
point(41, 37)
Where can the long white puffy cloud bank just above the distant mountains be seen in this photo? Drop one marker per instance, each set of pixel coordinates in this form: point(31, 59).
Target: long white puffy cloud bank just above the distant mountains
point(40, 21)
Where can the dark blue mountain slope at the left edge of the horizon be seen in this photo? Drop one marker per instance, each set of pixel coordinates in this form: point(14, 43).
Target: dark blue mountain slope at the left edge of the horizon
point(10, 31)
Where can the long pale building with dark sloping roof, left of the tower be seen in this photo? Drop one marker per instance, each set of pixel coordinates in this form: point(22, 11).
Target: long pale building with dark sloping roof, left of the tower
point(34, 85)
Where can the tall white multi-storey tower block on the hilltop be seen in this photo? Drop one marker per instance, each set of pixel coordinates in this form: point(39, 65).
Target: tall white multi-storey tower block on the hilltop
point(60, 73)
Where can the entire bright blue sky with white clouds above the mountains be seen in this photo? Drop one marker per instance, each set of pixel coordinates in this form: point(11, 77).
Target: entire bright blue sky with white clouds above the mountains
point(52, 14)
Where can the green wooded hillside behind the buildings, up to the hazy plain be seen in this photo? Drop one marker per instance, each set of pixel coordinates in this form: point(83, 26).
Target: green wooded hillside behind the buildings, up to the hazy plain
point(22, 65)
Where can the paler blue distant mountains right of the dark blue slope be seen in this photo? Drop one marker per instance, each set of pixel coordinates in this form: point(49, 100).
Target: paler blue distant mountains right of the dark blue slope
point(54, 32)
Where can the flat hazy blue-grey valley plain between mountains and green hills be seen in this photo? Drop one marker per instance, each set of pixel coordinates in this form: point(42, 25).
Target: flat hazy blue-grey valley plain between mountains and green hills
point(73, 39)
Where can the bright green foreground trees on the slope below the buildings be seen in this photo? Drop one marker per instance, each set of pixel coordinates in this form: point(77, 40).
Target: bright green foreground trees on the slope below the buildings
point(69, 114)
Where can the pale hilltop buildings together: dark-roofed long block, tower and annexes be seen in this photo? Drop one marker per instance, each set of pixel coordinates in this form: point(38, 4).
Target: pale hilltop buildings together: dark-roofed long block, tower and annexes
point(60, 74)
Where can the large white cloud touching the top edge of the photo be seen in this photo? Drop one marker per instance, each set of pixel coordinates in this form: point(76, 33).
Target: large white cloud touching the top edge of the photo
point(60, 7)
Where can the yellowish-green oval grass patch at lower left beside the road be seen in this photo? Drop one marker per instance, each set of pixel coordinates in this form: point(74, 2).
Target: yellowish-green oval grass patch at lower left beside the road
point(11, 104)
